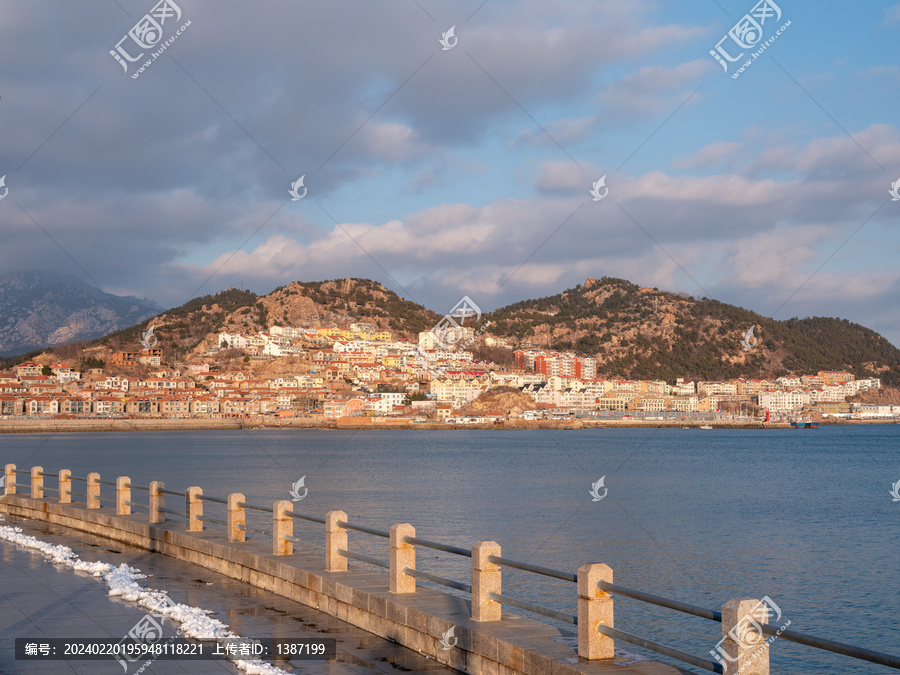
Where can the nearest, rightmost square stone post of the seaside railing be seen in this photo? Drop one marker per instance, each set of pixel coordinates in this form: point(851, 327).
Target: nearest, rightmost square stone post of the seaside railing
point(743, 648)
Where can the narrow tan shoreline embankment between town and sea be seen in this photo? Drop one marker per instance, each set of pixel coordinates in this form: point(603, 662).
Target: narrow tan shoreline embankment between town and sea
point(354, 424)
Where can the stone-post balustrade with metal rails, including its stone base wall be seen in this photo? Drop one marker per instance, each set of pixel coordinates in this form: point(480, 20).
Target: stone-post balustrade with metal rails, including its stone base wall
point(477, 636)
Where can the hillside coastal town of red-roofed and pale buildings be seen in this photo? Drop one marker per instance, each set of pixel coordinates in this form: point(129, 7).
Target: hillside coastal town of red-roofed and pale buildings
point(369, 375)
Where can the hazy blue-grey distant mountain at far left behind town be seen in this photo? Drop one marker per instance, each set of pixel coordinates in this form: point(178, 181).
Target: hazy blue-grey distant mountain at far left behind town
point(40, 309)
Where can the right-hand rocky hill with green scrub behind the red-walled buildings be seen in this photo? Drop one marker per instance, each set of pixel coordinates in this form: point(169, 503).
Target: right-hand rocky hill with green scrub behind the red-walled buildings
point(645, 333)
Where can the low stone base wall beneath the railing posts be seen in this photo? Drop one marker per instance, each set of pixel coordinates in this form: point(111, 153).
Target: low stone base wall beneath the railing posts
point(418, 620)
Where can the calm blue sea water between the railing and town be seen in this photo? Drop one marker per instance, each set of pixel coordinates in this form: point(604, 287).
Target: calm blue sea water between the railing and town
point(802, 516)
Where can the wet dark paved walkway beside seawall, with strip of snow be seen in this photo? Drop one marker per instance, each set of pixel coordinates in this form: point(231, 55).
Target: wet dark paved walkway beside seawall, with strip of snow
point(39, 599)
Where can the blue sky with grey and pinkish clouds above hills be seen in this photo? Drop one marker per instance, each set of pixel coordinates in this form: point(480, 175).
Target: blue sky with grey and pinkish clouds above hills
point(448, 164)
